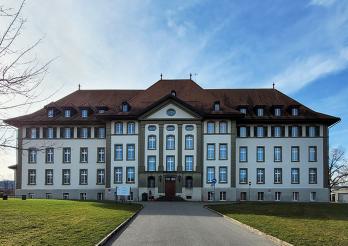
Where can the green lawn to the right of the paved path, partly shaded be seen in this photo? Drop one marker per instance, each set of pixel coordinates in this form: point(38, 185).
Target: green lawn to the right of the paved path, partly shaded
point(296, 223)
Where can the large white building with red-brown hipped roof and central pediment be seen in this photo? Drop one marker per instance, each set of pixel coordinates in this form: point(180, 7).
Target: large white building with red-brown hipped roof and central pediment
point(175, 139)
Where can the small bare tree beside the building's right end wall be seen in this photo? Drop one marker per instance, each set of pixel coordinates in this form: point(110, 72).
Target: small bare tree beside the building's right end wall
point(338, 168)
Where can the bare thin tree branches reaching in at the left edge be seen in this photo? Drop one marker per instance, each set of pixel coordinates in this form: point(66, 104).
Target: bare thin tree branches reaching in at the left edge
point(21, 73)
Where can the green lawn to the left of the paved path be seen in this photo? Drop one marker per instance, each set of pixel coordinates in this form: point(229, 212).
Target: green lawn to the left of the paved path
point(59, 222)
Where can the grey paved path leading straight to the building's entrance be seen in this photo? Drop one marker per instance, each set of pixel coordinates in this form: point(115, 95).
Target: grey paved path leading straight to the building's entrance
point(184, 223)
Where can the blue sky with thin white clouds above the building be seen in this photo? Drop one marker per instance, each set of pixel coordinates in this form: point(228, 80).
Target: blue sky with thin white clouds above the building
point(301, 46)
